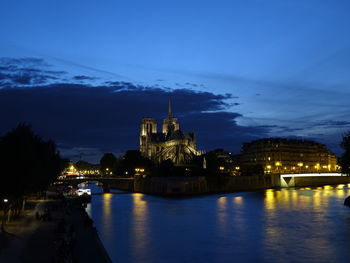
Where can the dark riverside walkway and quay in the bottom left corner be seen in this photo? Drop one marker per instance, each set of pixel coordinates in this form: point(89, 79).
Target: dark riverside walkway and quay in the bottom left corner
point(52, 231)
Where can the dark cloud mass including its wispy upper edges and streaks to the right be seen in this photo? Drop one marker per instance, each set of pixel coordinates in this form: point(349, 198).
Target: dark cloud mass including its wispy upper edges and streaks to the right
point(90, 119)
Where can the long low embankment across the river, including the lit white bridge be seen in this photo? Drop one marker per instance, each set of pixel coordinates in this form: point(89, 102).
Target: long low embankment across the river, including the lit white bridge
point(190, 186)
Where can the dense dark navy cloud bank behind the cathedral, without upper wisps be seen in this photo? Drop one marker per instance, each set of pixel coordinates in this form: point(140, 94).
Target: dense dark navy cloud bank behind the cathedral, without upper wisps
point(106, 118)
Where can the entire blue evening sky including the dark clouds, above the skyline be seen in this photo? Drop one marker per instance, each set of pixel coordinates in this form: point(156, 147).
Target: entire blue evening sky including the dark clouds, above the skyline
point(84, 73)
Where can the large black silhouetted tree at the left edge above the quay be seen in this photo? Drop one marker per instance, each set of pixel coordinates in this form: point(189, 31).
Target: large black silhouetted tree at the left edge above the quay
point(28, 165)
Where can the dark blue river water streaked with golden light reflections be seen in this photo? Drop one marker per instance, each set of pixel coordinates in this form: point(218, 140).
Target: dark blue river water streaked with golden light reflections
point(287, 225)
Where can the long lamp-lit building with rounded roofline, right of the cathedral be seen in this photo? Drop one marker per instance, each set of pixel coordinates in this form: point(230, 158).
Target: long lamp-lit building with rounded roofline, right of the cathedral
point(278, 155)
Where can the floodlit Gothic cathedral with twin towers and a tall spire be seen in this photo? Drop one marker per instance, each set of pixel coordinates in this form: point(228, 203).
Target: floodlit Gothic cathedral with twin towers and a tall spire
point(171, 143)
